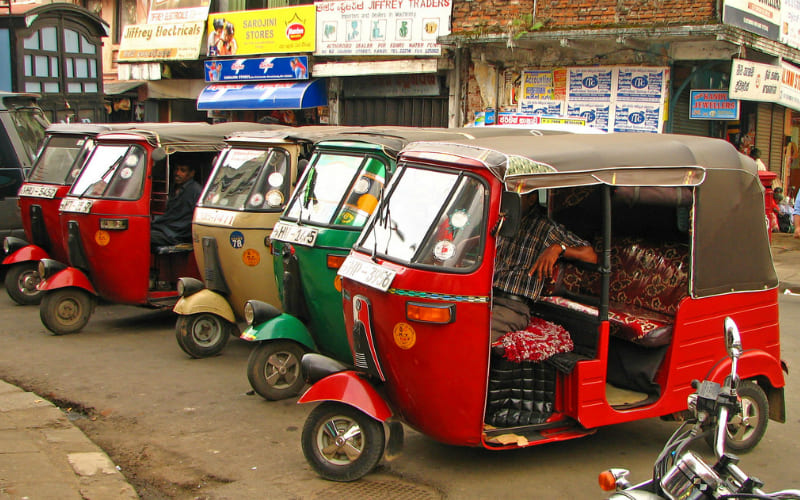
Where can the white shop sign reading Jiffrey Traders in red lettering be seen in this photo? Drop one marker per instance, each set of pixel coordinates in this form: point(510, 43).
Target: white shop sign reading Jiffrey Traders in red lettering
point(382, 27)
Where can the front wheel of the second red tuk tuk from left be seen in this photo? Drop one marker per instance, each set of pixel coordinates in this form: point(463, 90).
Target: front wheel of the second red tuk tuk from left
point(66, 310)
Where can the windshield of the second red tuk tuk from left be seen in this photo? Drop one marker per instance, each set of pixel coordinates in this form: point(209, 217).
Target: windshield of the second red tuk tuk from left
point(112, 171)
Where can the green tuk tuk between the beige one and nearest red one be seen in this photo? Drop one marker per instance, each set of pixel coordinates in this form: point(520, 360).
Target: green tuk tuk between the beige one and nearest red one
point(328, 209)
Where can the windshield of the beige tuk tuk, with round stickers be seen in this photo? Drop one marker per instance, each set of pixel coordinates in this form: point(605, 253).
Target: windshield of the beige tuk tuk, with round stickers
point(249, 179)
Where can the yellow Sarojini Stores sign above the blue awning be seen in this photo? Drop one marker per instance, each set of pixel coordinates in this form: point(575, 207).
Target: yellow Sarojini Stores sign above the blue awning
point(268, 31)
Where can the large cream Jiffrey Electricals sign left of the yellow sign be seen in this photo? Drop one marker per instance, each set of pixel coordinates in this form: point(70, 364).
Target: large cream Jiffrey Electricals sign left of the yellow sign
point(161, 42)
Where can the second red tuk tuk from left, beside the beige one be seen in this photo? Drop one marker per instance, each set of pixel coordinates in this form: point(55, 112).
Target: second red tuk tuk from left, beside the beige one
point(106, 219)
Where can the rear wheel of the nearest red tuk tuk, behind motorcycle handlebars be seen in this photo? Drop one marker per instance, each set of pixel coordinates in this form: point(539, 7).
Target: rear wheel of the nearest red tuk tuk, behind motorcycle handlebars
point(746, 429)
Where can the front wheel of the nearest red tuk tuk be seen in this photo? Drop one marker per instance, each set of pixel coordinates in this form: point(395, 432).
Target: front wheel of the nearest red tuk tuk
point(337, 458)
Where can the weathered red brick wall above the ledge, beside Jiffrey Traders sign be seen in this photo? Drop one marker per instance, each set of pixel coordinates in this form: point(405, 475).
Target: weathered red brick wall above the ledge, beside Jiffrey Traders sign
point(493, 16)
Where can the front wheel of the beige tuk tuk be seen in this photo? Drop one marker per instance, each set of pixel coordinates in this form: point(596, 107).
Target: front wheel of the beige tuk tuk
point(202, 335)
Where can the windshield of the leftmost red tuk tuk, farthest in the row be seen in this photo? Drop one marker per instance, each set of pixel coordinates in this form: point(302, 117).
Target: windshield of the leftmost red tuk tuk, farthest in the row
point(60, 160)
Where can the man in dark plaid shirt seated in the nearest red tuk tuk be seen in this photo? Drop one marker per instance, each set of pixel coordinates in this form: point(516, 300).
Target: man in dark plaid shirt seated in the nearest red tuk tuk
point(524, 262)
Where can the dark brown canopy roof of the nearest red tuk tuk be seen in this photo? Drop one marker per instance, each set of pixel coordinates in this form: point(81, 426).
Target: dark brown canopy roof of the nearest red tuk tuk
point(729, 240)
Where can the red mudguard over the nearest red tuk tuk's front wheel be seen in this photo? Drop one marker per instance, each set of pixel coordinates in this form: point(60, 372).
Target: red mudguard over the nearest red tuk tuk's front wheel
point(350, 388)
